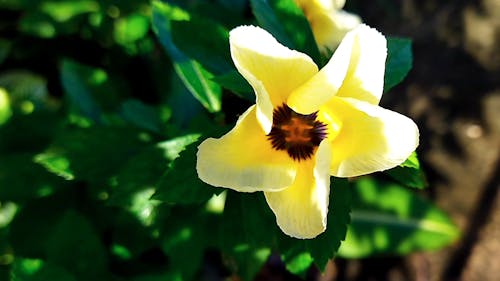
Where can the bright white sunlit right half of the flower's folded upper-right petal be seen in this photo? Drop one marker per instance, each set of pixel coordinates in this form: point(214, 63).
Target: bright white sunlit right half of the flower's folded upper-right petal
point(365, 76)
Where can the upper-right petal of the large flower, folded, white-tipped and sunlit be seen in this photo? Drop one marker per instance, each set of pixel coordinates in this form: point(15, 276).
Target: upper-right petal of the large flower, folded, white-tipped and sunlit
point(355, 70)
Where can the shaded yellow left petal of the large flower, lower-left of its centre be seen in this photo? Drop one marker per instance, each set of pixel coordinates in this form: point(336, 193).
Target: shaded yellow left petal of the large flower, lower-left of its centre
point(244, 159)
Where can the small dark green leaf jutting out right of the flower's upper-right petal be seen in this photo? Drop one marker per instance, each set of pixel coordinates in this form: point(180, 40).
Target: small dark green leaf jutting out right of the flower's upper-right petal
point(399, 61)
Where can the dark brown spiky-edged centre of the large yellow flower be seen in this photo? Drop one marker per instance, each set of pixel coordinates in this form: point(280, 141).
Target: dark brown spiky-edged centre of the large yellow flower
point(296, 133)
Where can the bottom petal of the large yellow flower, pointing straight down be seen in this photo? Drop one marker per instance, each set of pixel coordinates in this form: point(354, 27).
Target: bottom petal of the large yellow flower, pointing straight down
point(301, 209)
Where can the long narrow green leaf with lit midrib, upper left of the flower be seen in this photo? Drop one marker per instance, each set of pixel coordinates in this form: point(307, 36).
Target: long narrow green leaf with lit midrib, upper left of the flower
point(196, 79)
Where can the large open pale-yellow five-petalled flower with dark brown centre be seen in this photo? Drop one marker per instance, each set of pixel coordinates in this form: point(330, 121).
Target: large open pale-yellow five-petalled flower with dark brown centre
point(306, 125)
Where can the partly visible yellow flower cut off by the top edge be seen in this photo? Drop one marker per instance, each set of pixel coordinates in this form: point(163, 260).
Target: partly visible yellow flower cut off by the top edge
point(328, 21)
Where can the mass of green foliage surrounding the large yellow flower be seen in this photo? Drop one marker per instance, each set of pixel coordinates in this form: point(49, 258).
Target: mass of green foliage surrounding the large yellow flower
point(102, 105)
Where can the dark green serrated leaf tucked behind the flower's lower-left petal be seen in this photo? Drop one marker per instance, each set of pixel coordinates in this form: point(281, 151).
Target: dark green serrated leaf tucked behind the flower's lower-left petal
point(181, 184)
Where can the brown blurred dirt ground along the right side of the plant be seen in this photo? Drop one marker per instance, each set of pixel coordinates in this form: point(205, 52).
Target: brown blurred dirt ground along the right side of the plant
point(453, 93)
